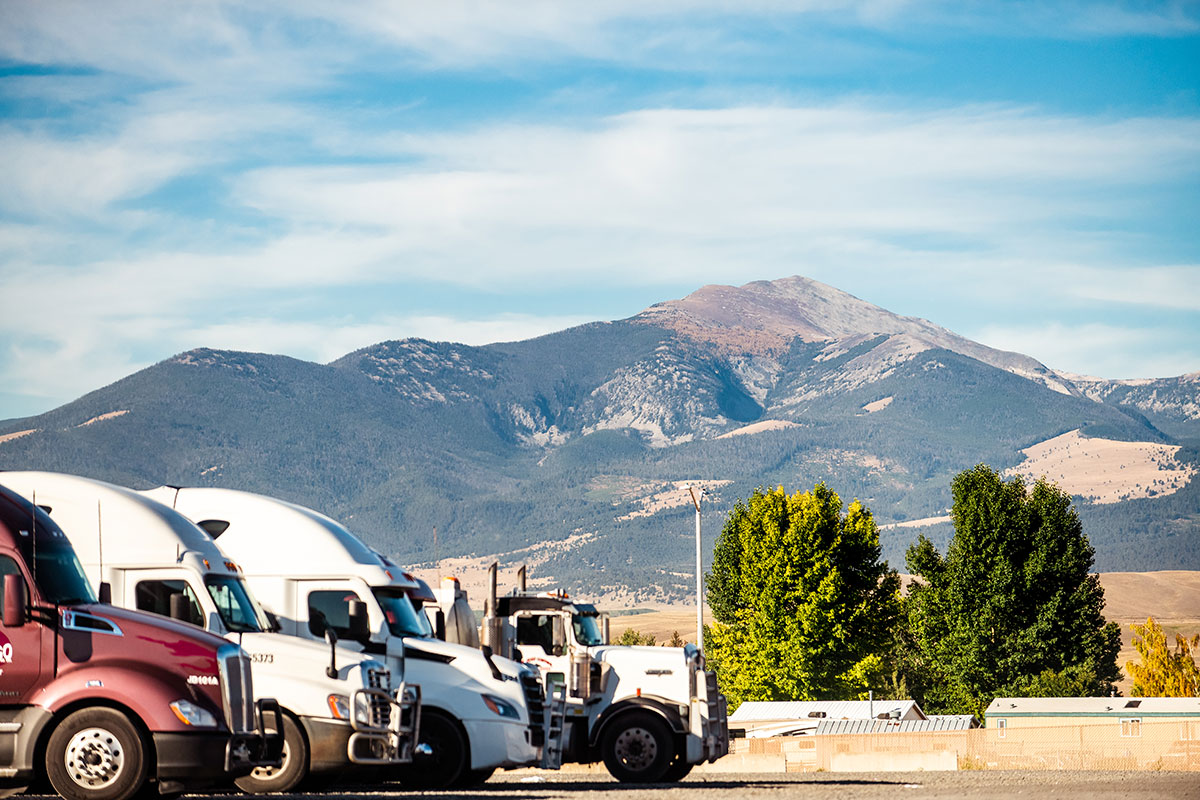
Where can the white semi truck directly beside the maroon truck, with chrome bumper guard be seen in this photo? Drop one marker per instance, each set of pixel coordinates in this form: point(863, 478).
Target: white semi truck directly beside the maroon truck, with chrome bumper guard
point(339, 707)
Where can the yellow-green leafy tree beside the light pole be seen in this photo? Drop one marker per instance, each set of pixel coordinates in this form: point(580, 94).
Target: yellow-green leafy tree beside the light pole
point(803, 605)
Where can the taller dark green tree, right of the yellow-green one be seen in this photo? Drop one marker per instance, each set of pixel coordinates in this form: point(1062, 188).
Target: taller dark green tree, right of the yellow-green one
point(1012, 609)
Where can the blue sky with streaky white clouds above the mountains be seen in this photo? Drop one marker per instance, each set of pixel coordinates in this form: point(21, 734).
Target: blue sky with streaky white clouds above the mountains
point(309, 178)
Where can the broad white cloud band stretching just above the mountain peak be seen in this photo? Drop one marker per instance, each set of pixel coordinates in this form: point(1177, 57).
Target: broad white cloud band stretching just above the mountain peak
point(689, 193)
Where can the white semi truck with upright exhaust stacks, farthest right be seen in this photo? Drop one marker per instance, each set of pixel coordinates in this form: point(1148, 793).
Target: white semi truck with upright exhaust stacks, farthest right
point(651, 714)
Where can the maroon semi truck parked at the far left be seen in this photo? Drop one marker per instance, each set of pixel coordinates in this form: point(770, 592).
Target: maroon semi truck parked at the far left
point(101, 702)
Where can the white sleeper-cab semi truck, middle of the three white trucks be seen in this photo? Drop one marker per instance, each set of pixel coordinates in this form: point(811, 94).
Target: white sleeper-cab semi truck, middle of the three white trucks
point(479, 713)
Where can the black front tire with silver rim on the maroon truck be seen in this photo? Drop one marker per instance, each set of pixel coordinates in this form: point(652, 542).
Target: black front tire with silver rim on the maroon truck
point(97, 755)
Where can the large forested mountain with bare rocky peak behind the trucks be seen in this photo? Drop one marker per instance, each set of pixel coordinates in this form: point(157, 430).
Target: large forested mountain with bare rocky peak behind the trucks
point(571, 450)
